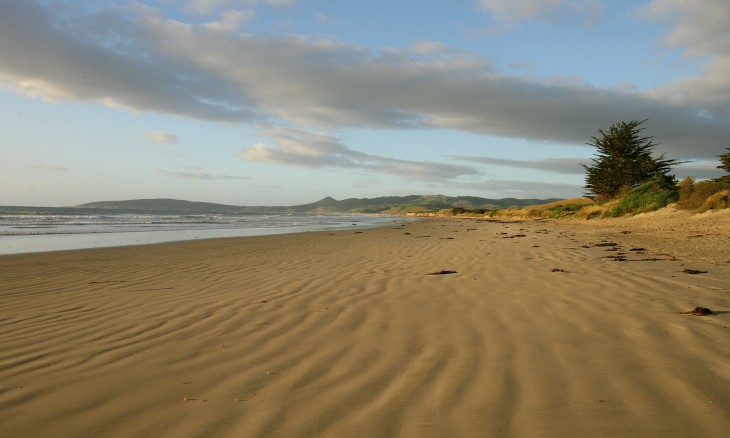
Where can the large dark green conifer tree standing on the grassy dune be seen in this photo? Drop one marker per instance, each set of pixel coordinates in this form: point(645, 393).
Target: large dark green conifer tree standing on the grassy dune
point(624, 160)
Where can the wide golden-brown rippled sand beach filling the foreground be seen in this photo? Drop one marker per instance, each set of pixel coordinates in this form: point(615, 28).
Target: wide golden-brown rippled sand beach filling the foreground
point(344, 335)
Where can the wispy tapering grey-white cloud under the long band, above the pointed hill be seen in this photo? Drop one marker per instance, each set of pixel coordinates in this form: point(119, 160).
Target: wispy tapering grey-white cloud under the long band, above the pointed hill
point(299, 148)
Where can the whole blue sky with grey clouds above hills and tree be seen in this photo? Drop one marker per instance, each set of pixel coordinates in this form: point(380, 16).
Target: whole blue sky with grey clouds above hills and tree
point(284, 102)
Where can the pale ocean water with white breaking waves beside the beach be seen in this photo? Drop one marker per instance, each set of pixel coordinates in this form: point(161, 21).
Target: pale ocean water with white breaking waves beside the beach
point(40, 229)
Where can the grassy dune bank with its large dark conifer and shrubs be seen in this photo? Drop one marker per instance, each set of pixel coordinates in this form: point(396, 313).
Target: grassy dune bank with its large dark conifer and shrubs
point(626, 179)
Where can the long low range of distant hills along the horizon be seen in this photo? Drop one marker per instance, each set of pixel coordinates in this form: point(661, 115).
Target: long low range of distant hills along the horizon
point(383, 204)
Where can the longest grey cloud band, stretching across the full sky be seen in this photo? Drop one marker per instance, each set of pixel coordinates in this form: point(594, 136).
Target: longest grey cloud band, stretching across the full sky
point(137, 59)
